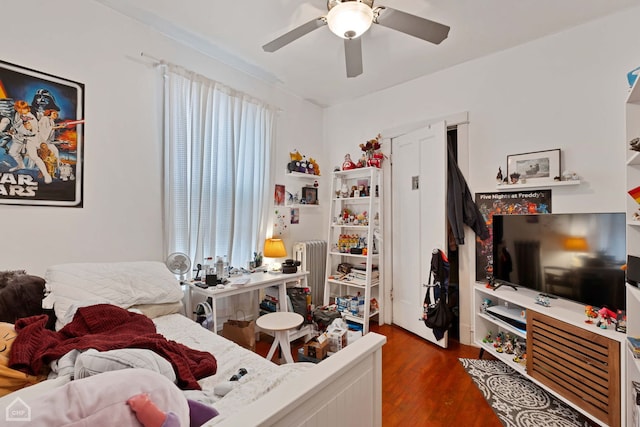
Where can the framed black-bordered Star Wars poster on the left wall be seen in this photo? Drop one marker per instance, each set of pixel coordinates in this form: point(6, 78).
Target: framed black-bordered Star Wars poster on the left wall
point(41, 138)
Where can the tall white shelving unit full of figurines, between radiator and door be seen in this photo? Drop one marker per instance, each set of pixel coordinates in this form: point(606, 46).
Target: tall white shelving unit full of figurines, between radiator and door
point(366, 202)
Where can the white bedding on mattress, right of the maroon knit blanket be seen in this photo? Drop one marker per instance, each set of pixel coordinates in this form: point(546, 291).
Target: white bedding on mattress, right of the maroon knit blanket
point(262, 375)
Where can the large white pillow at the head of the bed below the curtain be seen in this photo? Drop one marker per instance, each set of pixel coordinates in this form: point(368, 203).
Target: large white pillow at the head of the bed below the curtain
point(119, 283)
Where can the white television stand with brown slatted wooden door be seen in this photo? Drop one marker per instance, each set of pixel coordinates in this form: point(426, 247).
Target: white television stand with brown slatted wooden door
point(579, 363)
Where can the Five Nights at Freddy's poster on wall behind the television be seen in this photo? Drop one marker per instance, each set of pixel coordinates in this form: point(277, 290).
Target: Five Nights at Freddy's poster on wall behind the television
point(505, 203)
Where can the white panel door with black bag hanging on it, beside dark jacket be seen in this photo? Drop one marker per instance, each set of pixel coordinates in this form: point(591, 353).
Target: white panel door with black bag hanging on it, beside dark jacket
point(419, 217)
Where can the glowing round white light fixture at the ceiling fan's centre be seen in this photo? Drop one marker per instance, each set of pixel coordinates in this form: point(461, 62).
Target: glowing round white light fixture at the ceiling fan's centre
point(350, 19)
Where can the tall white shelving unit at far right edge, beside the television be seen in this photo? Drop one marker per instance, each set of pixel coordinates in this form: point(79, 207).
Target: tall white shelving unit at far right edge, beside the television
point(632, 110)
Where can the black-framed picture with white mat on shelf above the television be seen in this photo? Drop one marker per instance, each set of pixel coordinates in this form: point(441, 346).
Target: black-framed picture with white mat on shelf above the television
point(536, 166)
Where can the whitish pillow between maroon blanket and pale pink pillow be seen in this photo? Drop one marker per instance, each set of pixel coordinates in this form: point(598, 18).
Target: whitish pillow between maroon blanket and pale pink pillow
point(93, 362)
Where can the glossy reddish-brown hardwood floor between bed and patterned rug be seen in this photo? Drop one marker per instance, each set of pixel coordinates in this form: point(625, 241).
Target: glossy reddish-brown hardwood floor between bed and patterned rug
point(423, 384)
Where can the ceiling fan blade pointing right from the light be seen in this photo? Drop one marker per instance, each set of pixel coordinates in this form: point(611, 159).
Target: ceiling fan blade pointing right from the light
point(413, 25)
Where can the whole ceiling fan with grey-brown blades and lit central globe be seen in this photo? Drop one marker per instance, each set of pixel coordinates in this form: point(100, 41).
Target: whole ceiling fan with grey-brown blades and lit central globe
point(350, 19)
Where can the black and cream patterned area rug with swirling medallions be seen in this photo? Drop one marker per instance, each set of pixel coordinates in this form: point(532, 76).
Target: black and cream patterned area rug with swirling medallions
point(519, 402)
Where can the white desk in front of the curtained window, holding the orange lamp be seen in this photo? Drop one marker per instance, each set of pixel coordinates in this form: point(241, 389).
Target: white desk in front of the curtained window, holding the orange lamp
point(255, 282)
